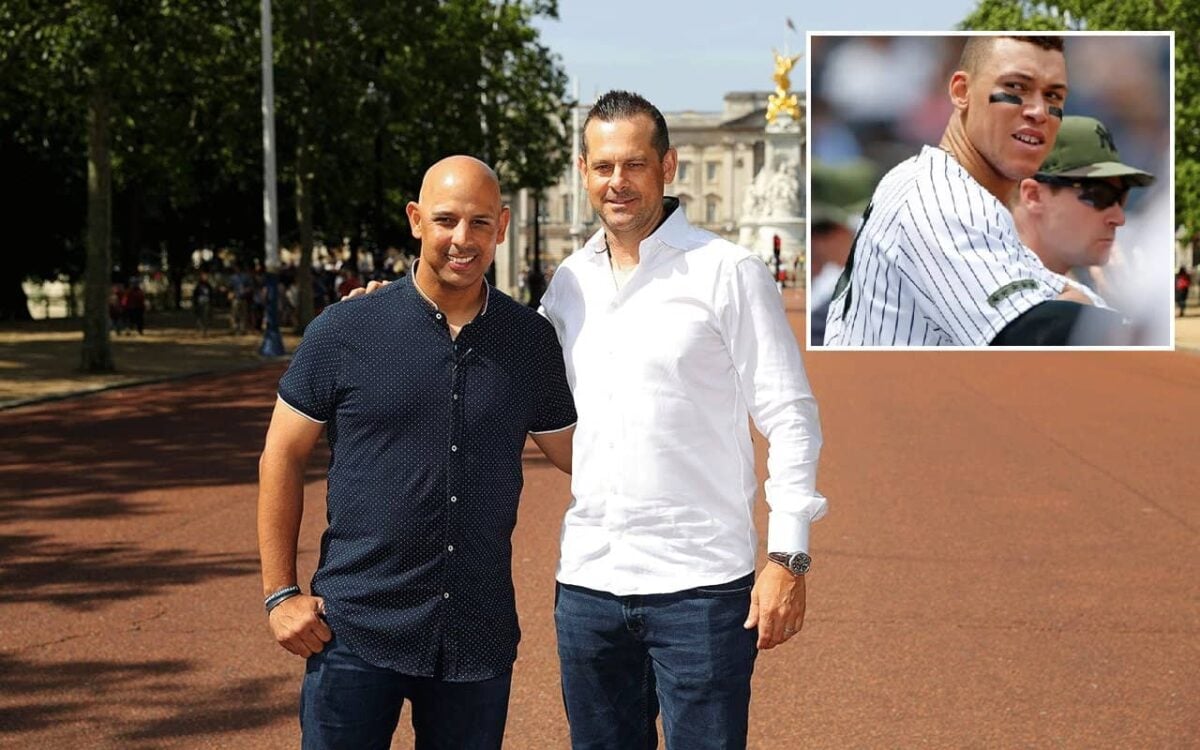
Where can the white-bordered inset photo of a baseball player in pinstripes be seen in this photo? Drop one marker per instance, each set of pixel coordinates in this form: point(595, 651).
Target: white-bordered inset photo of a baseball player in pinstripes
point(991, 190)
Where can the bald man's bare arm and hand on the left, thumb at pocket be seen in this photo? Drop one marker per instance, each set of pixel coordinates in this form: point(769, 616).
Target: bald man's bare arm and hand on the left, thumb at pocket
point(296, 623)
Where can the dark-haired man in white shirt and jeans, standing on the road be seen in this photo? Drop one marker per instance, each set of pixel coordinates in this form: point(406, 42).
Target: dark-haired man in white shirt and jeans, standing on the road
point(675, 340)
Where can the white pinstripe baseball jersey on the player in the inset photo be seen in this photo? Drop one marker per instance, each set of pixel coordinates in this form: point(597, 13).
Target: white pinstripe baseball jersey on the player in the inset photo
point(937, 262)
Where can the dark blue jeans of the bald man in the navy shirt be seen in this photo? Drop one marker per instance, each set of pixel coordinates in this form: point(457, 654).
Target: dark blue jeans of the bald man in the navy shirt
point(349, 704)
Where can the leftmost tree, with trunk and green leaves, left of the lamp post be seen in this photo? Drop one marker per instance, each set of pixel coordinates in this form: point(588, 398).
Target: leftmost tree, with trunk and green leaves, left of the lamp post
point(116, 74)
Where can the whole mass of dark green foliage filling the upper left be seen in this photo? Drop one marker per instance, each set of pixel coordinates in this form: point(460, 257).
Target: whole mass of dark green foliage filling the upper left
point(371, 92)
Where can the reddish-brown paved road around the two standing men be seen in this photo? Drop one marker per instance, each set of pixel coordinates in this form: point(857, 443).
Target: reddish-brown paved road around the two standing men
point(1011, 560)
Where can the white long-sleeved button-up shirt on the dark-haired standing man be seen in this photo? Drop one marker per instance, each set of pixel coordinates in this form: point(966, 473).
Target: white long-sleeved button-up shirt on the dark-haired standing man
point(668, 373)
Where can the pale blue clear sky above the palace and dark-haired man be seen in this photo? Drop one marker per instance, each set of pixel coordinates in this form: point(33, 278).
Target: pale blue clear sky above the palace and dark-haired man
point(688, 55)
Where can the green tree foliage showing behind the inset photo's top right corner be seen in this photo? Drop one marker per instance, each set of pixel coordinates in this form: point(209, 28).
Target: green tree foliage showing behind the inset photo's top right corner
point(1184, 16)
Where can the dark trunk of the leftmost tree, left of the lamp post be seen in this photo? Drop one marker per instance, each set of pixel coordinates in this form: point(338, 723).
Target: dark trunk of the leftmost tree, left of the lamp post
point(98, 353)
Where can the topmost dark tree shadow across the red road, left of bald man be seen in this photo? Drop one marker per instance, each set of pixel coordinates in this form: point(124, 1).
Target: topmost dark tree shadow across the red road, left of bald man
point(86, 455)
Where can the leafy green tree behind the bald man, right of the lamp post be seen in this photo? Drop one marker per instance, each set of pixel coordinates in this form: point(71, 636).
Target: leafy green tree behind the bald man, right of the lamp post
point(368, 101)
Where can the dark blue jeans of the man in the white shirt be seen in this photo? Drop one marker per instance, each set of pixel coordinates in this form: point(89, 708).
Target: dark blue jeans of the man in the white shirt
point(626, 658)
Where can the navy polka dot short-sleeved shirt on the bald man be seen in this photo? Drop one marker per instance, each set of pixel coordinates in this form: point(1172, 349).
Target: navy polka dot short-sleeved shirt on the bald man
point(425, 435)
